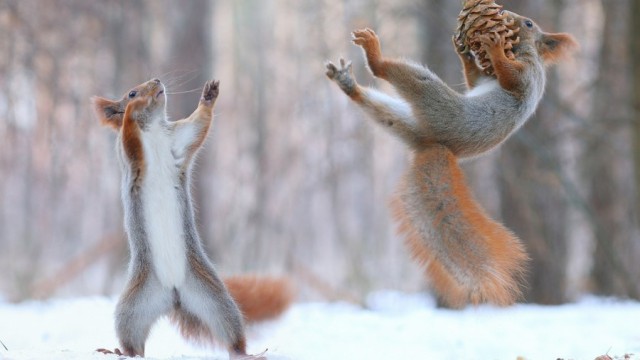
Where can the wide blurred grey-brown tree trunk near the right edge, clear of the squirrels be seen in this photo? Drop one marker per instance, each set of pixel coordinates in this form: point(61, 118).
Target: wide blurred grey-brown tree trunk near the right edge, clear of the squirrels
point(608, 167)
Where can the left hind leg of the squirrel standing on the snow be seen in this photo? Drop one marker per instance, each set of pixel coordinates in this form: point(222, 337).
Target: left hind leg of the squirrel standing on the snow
point(141, 304)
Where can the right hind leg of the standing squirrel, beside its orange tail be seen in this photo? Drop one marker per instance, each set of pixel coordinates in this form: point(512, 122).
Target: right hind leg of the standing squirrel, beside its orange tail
point(206, 311)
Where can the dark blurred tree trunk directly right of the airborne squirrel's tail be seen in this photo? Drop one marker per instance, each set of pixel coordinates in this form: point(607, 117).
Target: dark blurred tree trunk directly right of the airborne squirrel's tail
point(533, 202)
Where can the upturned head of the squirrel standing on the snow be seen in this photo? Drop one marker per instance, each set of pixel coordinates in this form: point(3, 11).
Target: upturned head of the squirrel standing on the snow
point(111, 112)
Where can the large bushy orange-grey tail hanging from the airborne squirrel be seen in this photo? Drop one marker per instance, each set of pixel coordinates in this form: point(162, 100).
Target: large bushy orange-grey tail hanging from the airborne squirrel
point(468, 256)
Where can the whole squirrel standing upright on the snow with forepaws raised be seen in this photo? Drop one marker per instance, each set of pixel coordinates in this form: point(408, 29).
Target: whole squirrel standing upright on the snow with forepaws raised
point(169, 272)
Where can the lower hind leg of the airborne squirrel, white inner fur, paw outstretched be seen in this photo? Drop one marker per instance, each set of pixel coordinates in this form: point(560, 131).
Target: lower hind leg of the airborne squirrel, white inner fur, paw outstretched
point(391, 113)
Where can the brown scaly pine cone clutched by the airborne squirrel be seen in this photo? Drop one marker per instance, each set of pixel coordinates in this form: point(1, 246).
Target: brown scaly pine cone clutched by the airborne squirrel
point(480, 17)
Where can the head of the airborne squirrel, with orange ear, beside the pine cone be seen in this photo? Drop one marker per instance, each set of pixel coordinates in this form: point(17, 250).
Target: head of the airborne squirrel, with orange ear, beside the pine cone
point(550, 47)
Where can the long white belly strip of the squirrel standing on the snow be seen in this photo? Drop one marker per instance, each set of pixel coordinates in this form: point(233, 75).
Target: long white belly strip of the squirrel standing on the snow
point(162, 210)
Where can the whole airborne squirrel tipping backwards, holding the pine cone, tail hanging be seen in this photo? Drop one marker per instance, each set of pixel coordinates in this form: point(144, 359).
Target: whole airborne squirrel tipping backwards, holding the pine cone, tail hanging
point(468, 256)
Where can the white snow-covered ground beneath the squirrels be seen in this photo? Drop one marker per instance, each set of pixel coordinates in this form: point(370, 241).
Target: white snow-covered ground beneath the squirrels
point(394, 326)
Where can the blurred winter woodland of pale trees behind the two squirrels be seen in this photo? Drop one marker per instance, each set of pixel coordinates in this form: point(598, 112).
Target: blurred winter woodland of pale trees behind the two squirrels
point(294, 179)
